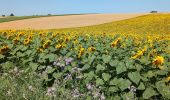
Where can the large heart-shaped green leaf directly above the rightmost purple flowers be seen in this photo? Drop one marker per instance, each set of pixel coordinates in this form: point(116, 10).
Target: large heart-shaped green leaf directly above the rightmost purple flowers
point(134, 77)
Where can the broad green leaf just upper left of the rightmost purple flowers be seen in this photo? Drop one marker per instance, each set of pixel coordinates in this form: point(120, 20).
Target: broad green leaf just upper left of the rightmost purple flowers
point(124, 83)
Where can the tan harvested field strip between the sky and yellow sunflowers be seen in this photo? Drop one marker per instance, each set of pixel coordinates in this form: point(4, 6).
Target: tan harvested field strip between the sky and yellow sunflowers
point(56, 22)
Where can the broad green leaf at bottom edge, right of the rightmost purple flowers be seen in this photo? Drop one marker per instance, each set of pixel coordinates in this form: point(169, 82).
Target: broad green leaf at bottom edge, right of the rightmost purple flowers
point(148, 93)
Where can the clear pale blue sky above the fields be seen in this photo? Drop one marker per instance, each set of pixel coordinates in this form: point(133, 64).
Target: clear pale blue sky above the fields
point(42, 7)
